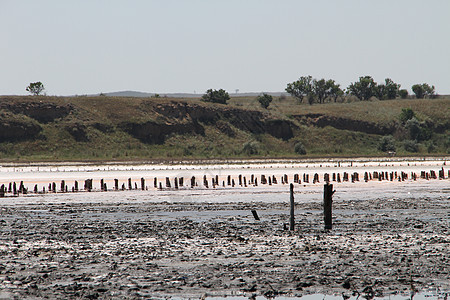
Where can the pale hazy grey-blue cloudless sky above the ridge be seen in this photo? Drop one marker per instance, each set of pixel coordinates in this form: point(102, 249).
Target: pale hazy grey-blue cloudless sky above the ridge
point(92, 46)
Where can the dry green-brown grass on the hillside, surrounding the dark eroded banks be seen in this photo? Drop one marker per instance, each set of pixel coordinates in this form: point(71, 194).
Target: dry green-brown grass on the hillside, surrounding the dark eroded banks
point(112, 143)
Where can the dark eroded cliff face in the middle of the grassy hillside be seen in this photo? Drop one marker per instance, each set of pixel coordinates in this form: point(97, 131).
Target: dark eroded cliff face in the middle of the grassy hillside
point(184, 118)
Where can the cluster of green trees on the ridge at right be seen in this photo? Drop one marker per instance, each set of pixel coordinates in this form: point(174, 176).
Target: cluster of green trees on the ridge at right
point(320, 90)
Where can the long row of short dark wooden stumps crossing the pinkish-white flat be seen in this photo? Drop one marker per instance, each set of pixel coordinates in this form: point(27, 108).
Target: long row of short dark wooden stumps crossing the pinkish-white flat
point(230, 181)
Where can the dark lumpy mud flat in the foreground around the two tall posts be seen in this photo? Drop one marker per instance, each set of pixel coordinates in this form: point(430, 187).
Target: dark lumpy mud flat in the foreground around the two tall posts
point(388, 238)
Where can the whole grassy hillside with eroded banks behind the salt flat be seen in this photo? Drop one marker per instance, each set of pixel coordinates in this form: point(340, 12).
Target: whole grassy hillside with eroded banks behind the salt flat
point(114, 128)
